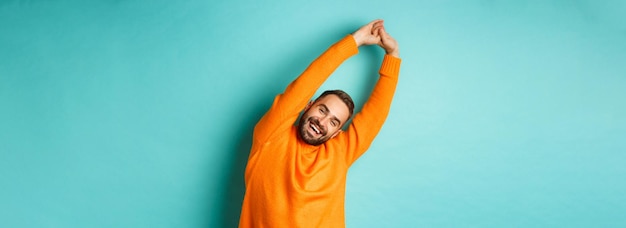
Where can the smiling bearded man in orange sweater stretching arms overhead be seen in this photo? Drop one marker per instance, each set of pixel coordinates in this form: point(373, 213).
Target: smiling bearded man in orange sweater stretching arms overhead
point(296, 175)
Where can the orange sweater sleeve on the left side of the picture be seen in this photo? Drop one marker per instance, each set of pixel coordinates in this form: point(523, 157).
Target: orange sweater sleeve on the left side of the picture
point(287, 106)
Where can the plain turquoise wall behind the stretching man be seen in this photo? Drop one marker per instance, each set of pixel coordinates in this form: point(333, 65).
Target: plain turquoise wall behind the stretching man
point(139, 113)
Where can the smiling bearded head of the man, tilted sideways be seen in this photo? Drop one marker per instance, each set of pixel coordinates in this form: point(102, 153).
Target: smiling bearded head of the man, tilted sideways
point(324, 118)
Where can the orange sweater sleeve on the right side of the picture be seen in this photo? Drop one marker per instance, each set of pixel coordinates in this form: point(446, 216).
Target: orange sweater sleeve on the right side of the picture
point(368, 122)
